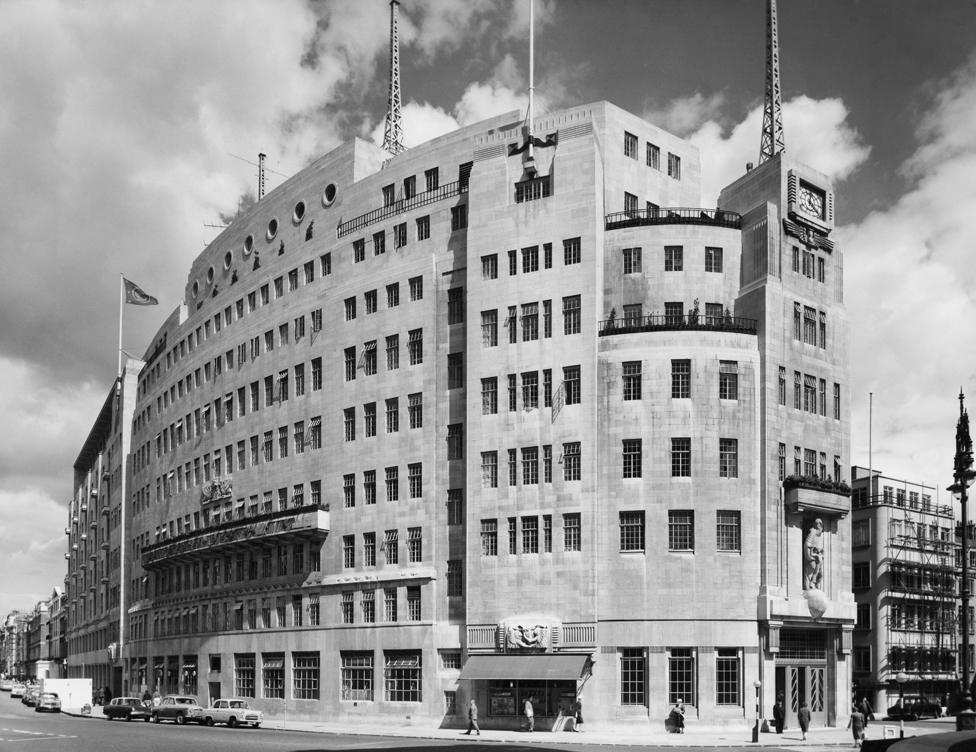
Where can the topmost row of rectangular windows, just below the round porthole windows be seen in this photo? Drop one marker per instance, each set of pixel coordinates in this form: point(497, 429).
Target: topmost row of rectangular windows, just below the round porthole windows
point(261, 296)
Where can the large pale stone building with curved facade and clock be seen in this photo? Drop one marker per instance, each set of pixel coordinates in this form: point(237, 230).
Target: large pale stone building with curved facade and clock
point(497, 418)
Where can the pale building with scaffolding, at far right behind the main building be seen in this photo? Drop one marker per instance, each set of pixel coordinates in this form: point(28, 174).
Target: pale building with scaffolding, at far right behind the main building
point(904, 552)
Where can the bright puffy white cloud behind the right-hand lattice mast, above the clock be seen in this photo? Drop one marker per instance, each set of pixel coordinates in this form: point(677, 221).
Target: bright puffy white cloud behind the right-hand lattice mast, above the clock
point(817, 133)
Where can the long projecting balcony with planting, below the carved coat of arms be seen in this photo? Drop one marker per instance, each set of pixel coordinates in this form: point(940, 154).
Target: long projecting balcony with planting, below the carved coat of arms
point(287, 525)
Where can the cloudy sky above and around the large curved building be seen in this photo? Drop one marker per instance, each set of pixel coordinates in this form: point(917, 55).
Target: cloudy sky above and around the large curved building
point(124, 122)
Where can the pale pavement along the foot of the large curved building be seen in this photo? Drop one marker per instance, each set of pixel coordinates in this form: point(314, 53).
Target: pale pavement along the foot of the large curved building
point(818, 739)
